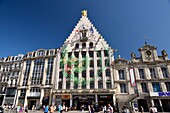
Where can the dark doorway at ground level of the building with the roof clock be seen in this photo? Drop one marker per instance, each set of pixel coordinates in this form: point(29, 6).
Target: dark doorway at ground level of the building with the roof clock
point(143, 103)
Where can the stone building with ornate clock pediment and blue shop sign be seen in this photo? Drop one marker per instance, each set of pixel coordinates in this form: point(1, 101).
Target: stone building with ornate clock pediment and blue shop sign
point(143, 81)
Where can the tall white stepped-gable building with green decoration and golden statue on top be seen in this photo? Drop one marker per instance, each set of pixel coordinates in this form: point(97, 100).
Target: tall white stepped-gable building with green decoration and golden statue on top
point(84, 72)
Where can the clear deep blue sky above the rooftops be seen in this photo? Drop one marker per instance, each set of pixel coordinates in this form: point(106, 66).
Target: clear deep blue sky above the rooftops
point(28, 25)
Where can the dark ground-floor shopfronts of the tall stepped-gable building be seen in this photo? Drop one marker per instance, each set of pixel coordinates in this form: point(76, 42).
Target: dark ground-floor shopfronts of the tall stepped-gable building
point(76, 101)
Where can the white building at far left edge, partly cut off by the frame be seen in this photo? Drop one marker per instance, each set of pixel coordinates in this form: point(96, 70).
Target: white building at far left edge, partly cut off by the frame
point(10, 71)
